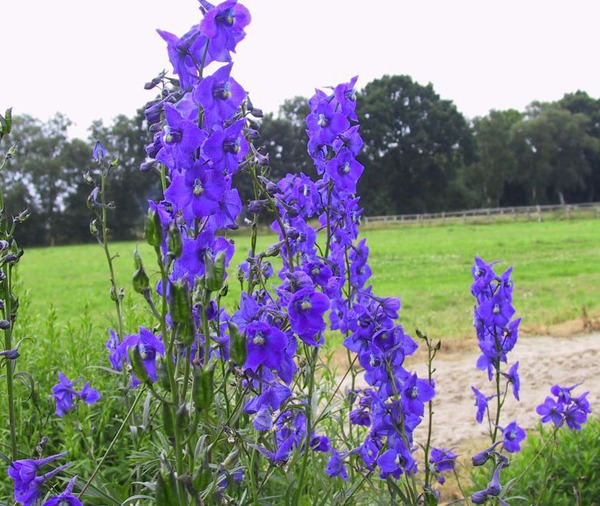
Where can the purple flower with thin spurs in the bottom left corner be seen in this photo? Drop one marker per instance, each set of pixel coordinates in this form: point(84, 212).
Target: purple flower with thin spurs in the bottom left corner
point(27, 483)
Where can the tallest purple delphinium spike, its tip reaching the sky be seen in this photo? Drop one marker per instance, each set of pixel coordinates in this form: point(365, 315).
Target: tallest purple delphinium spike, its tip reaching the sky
point(200, 129)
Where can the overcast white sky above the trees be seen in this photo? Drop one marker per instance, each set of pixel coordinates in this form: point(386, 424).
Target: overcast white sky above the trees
point(90, 59)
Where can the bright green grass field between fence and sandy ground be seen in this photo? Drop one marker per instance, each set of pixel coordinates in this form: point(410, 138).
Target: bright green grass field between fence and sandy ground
point(557, 273)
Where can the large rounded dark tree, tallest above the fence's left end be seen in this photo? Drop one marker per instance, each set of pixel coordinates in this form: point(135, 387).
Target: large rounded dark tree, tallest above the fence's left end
point(415, 143)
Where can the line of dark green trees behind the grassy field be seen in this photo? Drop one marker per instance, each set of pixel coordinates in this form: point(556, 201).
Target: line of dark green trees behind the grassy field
point(420, 152)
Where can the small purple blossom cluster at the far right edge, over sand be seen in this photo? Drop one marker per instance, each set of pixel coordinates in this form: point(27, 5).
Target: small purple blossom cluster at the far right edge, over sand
point(565, 408)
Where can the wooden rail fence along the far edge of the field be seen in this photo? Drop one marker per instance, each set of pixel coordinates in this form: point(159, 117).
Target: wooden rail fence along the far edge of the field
point(532, 212)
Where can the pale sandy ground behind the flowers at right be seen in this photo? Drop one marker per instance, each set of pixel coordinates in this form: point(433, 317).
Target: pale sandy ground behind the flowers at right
point(543, 362)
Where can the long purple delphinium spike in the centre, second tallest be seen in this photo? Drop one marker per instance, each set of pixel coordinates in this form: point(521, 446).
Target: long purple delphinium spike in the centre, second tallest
point(393, 404)
